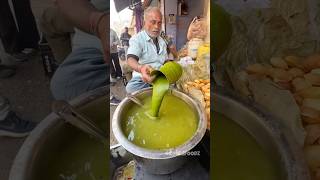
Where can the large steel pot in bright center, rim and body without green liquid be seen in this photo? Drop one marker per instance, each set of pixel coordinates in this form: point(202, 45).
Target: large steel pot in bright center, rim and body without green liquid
point(159, 161)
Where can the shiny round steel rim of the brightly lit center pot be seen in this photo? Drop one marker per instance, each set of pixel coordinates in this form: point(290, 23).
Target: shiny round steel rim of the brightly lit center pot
point(165, 153)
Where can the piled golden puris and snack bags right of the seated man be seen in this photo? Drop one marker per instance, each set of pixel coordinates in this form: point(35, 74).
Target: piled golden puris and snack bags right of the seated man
point(194, 57)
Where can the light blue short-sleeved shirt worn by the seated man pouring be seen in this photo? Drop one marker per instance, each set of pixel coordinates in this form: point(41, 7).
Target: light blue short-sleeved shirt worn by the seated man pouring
point(142, 46)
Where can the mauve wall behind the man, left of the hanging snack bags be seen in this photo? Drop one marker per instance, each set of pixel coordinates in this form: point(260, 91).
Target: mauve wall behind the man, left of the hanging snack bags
point(195, 8)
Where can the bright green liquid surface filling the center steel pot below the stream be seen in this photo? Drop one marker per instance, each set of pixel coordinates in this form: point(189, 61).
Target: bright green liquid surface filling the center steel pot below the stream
point(177, 123)
